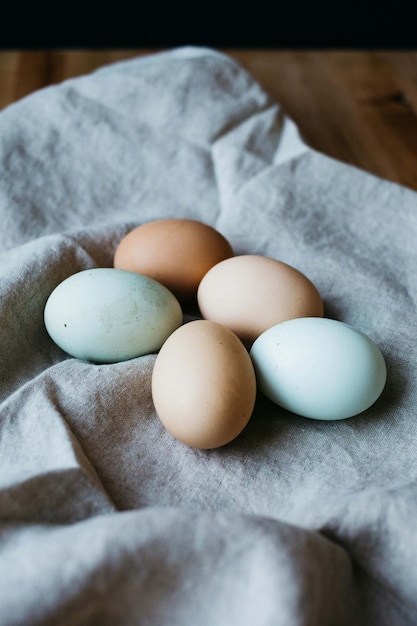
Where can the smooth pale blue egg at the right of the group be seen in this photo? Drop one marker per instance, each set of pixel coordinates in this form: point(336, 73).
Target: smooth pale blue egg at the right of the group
point(319, 368)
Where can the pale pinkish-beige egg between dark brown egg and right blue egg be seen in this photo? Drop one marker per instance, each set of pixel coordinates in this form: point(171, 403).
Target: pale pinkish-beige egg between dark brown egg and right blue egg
point(251, 293)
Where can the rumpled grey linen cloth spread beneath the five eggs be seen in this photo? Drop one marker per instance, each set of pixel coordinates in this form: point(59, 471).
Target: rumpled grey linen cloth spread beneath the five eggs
point(105, 518)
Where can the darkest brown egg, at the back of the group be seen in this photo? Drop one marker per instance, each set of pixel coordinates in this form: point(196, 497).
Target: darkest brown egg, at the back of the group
point(176, 252)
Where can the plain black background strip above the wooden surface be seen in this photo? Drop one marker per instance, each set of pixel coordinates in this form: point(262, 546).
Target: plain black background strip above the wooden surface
point(30, 24)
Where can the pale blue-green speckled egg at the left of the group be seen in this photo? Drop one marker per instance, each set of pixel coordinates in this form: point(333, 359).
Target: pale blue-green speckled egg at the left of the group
point(106, 315)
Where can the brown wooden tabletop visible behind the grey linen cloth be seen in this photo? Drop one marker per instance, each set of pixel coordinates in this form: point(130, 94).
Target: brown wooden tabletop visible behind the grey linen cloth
point(357, 106)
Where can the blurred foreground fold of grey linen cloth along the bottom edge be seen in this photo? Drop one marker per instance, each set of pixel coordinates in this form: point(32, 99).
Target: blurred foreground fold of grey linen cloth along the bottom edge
point(176, 567)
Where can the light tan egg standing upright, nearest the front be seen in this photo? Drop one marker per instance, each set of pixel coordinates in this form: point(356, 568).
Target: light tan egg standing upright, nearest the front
point(203, 385)
